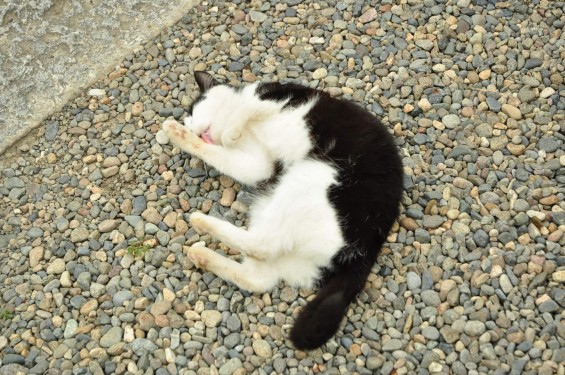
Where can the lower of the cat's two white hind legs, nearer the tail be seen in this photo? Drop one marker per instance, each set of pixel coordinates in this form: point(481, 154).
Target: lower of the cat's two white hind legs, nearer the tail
point(249, 275)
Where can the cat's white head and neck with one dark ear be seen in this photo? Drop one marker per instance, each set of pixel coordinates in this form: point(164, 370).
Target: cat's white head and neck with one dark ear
point(222, 114)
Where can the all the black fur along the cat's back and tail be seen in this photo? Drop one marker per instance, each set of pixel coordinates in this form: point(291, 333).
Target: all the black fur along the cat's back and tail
point(366, 198)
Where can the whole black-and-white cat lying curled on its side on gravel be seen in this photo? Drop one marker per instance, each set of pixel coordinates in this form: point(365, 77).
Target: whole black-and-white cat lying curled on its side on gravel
point(328, 179)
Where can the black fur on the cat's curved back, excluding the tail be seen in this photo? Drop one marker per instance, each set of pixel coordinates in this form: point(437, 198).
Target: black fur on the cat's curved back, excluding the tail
point(363, 152)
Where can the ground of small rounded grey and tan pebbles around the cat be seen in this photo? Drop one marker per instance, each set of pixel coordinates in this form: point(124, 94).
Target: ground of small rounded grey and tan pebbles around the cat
point(471, 281)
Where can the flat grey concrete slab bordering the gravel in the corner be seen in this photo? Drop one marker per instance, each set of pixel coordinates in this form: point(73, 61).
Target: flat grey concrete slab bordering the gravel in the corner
point(51, 50)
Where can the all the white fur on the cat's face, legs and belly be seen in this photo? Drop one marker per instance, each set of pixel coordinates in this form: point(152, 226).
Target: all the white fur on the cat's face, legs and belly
point(294, 231)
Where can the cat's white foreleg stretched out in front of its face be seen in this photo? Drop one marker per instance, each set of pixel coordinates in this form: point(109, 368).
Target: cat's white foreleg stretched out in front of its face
point(245, 166)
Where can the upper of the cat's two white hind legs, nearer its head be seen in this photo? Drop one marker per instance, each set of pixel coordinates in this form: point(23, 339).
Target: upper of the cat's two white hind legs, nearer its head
point(234, 237)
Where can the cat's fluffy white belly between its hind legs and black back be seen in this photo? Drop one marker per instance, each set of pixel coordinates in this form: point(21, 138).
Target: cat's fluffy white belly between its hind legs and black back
point(298, 227)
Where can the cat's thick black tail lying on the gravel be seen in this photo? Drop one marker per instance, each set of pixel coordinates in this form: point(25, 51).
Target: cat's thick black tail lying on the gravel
point(320, 318)
